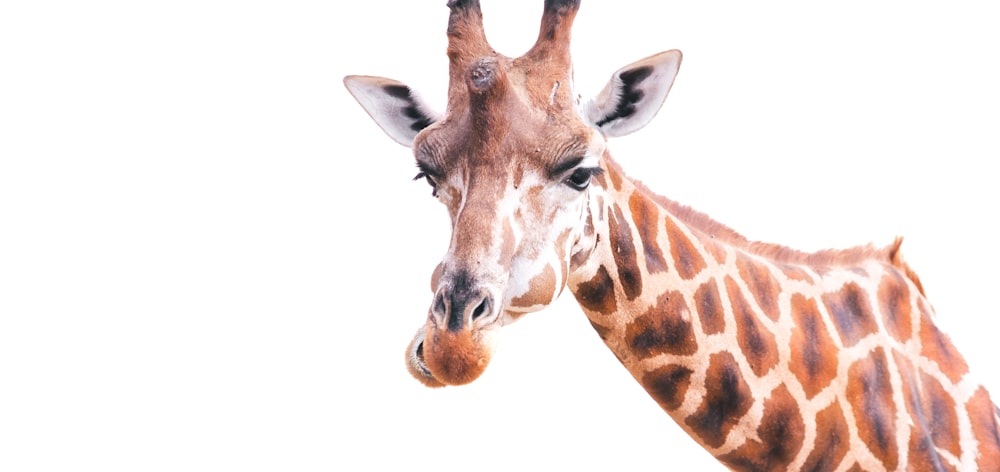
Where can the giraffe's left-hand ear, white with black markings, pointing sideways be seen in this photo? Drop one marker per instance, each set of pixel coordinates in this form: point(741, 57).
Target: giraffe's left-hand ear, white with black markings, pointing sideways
point(395, 107)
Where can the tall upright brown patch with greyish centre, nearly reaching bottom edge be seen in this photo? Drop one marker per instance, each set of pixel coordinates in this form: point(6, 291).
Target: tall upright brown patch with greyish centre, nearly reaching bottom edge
point(870, 394)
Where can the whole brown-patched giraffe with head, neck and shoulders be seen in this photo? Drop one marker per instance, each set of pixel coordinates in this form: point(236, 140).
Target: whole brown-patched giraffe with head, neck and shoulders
point(770, 358)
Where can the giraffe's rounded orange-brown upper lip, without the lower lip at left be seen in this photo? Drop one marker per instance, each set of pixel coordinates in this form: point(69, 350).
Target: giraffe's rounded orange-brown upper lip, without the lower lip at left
point(458, 358)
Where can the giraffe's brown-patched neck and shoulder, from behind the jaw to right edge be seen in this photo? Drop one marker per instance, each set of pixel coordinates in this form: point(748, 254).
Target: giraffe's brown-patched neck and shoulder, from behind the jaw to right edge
point(774, 359)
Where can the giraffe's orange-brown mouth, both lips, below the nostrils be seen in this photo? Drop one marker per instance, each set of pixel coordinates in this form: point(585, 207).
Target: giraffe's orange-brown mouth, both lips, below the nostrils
point(440, 357)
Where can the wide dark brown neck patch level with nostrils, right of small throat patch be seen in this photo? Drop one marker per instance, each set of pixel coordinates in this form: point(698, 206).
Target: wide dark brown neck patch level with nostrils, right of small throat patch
point(664, 329)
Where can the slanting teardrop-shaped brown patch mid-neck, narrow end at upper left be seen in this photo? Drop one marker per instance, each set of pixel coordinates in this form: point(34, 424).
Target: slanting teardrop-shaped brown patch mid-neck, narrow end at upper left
point(757, 344)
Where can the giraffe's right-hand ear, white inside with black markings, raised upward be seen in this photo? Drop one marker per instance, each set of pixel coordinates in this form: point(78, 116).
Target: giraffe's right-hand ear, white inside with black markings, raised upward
point(635, 93)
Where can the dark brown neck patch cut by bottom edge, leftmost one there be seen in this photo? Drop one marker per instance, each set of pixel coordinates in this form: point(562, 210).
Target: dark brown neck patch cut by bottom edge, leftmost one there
point(781, 434)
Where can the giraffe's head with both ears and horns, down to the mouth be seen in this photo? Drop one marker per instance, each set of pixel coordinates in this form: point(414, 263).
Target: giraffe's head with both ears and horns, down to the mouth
point(512, 159)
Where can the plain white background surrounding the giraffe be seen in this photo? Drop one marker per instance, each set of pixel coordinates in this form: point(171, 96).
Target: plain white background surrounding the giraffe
point(211, 259)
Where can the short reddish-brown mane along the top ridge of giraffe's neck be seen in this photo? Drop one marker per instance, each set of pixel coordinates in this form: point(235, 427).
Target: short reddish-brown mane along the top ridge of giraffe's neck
point(715, 230)
